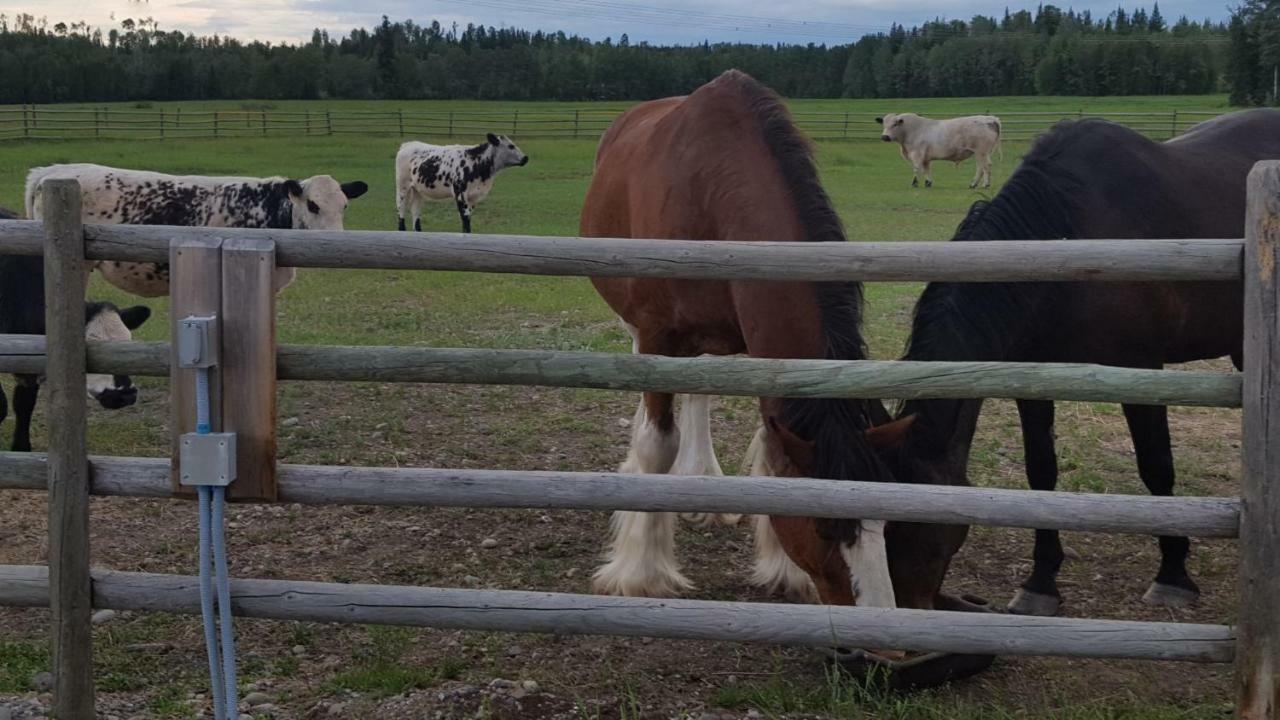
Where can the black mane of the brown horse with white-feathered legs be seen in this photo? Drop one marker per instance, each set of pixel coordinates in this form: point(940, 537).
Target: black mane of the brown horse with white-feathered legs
point(835, 426)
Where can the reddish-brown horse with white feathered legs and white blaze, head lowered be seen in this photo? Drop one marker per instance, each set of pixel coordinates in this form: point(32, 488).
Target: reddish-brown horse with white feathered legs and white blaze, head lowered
point(728, 163)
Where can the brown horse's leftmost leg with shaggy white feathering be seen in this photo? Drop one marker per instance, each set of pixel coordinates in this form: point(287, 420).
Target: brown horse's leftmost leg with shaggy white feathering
point(642, 557)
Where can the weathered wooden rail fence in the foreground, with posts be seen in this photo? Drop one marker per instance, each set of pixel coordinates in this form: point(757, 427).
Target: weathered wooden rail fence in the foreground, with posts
point(72, 590)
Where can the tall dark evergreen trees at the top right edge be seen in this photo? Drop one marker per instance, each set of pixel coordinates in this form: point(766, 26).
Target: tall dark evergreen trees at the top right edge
point(1254, 65)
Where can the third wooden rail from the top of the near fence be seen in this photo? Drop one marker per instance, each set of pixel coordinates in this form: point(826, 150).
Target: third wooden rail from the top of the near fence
point(417, 487)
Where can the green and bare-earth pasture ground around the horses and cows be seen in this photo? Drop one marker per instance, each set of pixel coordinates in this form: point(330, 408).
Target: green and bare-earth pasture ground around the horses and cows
point(150, 666)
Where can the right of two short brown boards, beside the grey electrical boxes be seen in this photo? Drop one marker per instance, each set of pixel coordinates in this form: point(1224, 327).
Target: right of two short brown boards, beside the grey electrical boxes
point(248, 364)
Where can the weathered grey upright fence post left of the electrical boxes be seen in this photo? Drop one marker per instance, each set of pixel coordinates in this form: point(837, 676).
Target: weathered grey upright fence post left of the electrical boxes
point(70, 585)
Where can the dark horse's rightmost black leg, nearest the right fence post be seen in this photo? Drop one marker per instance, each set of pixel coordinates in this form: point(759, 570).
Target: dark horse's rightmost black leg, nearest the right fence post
point(1149, 427)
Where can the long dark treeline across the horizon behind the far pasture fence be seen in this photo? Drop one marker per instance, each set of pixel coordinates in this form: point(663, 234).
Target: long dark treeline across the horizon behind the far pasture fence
point(1048, 52)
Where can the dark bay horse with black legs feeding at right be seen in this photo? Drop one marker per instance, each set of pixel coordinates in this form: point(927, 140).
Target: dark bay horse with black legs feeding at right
point(1086, 180)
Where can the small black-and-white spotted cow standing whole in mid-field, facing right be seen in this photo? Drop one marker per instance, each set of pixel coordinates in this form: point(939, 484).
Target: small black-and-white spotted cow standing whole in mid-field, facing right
point(442, 172)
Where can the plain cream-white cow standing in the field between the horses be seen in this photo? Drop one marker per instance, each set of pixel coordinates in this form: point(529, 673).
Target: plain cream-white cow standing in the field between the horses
point(924, 140)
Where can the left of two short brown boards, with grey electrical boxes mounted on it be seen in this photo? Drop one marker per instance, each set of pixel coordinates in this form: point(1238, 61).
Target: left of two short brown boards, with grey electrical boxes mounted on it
point(195, 289)
